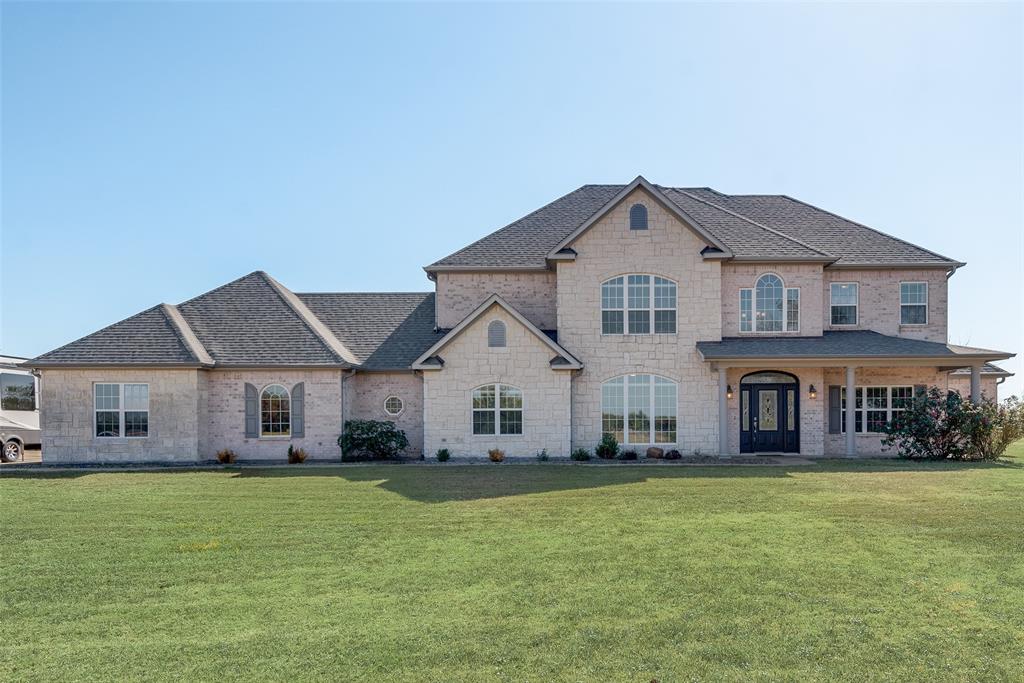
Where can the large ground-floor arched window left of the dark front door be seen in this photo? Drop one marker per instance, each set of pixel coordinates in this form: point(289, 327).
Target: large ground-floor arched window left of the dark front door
point(639, 409)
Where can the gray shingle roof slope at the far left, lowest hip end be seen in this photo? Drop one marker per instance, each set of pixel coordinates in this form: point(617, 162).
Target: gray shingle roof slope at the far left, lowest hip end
point(145, 339)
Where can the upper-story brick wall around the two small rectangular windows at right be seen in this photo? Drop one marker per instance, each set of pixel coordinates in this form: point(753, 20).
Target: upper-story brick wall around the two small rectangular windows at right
point(879, 305)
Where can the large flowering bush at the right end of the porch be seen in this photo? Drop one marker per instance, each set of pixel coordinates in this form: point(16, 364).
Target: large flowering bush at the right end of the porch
point(946, 426)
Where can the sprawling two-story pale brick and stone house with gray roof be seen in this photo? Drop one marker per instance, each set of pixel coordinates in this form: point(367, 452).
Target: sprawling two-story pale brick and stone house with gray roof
point(678, 318)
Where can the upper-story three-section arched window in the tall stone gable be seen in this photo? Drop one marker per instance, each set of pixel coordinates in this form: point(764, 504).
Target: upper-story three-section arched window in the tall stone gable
point(638, 305)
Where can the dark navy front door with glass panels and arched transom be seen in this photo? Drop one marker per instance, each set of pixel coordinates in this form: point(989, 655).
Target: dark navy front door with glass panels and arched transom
point(770, 413)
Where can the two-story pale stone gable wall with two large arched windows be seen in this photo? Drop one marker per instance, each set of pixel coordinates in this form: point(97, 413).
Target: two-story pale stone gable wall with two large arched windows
point(668, 249)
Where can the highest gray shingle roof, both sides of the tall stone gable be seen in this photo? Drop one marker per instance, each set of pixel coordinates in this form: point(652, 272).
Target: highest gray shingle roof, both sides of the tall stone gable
point(767, 227)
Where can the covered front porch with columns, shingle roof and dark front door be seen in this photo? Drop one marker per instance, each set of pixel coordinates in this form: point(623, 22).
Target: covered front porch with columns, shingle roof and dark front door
point(828, 396)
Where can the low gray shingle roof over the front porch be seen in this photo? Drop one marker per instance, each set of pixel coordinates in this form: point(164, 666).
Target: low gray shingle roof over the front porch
point(851, 345)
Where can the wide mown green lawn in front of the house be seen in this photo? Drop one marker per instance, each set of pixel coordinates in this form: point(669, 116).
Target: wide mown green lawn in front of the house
point(840, 571)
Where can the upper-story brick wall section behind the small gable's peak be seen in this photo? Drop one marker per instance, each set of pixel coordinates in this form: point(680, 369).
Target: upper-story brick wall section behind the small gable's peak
point(533, 294)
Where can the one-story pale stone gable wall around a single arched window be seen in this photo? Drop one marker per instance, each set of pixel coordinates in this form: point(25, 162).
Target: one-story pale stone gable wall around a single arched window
point(470, 364)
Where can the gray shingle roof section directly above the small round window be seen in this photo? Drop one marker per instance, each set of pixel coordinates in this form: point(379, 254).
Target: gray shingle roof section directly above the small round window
point(386, 331)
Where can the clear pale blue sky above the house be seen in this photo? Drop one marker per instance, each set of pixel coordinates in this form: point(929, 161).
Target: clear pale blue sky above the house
point(152, 152)
